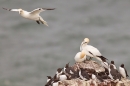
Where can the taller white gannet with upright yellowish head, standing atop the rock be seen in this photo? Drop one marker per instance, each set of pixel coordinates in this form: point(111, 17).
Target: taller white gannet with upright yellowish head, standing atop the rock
point(91, 51)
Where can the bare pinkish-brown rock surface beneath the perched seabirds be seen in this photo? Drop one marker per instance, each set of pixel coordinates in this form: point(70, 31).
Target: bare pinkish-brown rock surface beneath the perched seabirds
point(90, 65)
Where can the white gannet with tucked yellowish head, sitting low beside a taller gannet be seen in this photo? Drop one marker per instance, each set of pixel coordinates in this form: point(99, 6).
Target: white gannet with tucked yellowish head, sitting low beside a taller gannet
point(80, 56)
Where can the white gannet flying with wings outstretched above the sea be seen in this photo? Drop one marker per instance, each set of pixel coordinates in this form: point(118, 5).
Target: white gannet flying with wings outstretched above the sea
point(33, 15)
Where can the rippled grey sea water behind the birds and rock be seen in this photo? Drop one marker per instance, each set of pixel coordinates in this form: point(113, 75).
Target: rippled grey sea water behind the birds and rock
point(29, 52)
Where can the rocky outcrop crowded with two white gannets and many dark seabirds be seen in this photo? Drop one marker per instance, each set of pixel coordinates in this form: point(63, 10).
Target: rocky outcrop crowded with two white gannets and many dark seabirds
point(87, 70)
